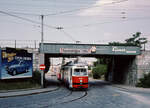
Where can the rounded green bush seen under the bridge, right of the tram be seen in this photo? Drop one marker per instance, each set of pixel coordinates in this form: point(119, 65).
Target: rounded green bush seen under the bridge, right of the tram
point(99, 70)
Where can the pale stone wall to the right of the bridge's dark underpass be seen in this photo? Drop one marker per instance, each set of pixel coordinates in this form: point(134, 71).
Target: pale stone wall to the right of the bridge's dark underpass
point(138, 67)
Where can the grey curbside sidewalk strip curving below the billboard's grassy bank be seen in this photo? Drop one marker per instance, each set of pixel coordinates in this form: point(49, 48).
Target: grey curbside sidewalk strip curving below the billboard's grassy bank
point(26, 92)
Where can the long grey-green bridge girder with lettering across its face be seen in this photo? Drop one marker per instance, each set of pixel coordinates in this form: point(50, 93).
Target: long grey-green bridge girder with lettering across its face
point(98, 49)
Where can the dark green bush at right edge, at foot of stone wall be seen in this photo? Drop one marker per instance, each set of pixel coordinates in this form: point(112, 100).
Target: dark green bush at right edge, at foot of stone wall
point(145, 81)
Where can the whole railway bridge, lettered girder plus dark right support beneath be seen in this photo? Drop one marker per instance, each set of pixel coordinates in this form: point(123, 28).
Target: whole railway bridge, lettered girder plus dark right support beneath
point(121, 69)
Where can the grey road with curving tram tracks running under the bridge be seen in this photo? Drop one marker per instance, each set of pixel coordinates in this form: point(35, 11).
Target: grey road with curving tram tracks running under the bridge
point(99, 95)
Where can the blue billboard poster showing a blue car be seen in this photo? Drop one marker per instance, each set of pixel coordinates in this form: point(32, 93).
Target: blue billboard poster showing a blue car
point(15, 63)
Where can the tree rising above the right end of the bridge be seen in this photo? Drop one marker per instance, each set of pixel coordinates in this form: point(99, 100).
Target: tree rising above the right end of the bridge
point(136, 40)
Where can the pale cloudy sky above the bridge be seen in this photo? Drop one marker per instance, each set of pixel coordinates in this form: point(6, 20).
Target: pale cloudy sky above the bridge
point(87, 21)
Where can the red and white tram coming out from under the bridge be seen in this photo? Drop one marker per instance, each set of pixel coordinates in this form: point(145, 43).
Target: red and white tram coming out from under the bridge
point(75, 75)
